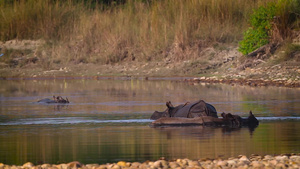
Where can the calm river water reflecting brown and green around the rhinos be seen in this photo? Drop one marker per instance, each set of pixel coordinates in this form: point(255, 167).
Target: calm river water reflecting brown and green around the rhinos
point(107, 121)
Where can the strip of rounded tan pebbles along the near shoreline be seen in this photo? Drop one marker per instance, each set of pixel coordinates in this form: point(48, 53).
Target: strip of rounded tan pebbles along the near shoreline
point(241, 162)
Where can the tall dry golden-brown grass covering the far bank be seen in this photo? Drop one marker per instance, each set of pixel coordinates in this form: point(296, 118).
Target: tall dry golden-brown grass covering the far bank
point(136, 30)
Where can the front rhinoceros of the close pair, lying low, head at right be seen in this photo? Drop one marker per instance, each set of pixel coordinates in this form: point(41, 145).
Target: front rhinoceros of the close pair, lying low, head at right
point(251, 121)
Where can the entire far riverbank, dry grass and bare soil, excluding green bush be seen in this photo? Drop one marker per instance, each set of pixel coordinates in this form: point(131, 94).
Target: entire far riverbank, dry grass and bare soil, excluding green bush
point(143, 39)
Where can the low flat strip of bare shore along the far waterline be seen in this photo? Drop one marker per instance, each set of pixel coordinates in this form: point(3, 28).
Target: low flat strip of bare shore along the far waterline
point(280, 75)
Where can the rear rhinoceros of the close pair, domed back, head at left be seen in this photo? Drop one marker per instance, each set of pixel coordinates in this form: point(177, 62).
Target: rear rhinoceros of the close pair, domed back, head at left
point(187, 110)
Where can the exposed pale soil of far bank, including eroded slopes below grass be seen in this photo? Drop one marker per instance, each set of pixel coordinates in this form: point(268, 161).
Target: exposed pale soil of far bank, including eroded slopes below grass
point(217, 64)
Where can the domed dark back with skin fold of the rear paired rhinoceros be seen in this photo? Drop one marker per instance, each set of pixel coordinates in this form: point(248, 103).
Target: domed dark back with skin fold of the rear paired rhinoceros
point(196, 109)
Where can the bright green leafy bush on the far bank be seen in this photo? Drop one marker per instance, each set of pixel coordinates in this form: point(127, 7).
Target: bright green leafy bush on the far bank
point(258, 34)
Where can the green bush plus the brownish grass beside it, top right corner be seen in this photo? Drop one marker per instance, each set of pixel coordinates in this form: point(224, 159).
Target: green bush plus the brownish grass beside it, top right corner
point(272, 23)
